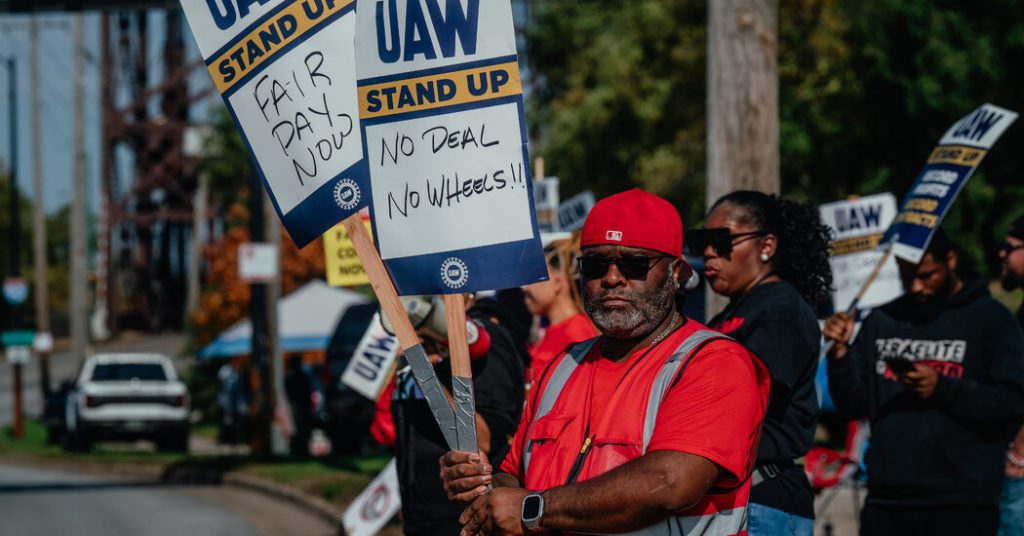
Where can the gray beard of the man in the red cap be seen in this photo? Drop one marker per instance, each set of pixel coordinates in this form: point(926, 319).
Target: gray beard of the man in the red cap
point(637, 322)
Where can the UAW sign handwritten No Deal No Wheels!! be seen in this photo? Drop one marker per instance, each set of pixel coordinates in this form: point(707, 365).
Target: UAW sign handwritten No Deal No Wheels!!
point(445, 137)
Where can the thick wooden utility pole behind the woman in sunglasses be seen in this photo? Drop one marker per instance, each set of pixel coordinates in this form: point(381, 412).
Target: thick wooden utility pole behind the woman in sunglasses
point(743, 101)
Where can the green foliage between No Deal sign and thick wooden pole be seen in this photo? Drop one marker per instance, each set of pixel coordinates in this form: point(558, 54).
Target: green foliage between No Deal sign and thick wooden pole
point(622, 97)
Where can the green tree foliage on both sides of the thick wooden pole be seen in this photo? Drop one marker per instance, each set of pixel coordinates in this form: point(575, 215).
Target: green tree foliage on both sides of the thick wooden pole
point(867, 89)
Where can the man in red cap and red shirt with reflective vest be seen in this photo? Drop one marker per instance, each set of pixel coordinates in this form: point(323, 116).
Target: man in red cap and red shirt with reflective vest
point(652, 427)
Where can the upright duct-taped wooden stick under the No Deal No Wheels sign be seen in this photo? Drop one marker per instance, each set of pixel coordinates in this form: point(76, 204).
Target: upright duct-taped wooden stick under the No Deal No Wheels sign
point(462, 374)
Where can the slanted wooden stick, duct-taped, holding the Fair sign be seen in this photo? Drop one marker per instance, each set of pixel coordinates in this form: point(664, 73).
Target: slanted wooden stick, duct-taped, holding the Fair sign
point(423, 372)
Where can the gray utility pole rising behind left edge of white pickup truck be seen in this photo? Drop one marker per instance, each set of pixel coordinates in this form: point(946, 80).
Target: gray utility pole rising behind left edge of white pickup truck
point(79, 312)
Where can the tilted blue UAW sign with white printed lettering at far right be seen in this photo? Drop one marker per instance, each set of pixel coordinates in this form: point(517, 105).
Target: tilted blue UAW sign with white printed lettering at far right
point(946, 174)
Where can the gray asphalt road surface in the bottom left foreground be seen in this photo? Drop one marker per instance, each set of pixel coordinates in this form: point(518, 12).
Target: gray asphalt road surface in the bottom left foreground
point(45, 503)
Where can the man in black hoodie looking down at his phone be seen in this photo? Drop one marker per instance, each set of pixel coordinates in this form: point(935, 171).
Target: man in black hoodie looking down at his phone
point(941, 375)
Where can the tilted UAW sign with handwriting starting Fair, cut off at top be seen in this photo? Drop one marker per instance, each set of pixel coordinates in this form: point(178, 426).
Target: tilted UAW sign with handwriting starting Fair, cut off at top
point(286, 71)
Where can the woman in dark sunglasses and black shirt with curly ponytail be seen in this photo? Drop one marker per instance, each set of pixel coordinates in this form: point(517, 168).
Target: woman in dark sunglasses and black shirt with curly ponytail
point(771, 258)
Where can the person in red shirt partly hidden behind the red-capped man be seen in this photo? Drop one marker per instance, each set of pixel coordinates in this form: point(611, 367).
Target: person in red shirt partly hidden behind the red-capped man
point(559, 300)
